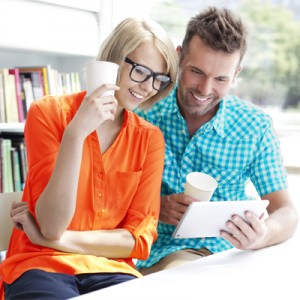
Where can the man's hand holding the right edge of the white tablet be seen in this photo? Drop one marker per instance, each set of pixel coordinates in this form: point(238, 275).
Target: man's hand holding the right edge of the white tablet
point(244, 235)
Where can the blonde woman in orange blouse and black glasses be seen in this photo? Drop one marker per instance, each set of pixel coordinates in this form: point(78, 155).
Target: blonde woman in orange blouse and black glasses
point(93, 185)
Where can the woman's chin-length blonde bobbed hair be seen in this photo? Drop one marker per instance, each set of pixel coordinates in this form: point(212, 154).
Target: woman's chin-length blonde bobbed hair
point(129, 35)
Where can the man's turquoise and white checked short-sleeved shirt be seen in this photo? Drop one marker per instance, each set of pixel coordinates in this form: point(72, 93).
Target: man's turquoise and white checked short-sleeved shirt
point(237, 145)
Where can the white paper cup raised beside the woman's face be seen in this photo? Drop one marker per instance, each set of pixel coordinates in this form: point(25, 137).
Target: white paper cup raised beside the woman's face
point(100, 72)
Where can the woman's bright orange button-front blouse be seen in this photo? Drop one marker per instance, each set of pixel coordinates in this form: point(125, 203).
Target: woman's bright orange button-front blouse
point(119, 189)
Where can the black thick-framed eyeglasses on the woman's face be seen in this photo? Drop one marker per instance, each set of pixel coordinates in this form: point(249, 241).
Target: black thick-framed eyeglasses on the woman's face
point(140, 73)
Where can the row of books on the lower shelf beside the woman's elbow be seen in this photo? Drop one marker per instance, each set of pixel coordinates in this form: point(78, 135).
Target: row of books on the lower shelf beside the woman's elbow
point(13, 166)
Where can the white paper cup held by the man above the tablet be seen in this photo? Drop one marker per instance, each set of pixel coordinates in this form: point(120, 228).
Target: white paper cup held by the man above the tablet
point(200, 186)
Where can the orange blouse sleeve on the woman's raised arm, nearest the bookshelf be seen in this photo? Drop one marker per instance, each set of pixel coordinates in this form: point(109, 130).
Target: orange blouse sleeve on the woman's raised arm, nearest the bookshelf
point(42, 139)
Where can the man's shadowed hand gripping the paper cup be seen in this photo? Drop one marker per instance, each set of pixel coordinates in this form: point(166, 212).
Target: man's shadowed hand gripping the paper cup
point(173, 207)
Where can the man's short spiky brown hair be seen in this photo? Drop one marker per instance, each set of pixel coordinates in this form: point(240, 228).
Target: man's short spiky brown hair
point(219, 29)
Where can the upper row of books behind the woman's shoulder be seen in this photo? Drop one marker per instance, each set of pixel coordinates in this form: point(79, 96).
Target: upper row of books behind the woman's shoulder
point(20, 86)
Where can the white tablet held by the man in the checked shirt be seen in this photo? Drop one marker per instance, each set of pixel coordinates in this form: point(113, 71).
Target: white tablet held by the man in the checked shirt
point(206, 219)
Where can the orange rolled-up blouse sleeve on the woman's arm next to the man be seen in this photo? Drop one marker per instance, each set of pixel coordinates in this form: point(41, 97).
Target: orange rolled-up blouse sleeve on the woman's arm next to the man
point(143, 214)
